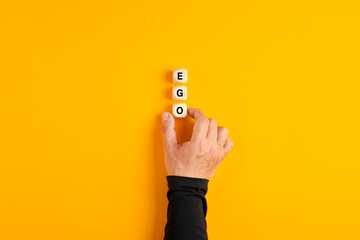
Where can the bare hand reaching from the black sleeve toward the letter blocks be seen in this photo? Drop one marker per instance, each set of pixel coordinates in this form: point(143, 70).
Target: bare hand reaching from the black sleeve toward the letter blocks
point(202, 155)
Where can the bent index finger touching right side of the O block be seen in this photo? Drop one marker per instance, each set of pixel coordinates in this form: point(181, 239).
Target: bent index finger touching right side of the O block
point(201, 124)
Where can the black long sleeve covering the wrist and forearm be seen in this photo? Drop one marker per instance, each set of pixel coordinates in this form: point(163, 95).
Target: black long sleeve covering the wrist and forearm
point(187, 208)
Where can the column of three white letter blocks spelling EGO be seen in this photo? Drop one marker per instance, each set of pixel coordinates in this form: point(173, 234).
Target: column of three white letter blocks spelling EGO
point(179, 93)
